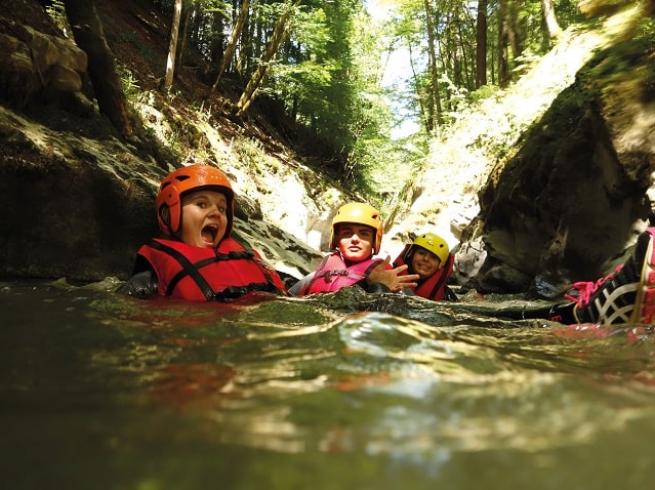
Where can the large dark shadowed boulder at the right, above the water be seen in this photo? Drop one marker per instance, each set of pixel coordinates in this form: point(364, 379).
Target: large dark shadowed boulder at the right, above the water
point(577, 192)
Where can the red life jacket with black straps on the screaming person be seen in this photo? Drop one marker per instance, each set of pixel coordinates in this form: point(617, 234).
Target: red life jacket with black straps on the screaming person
point(205, 274)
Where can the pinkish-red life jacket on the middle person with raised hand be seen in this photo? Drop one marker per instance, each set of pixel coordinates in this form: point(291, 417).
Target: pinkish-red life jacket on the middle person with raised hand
point(333, 274)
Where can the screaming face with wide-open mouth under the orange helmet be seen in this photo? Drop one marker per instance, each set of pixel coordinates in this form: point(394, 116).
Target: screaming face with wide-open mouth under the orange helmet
point(204, 218)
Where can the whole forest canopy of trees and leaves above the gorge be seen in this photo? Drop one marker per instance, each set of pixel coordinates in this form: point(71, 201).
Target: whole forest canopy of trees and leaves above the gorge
point(322, 63)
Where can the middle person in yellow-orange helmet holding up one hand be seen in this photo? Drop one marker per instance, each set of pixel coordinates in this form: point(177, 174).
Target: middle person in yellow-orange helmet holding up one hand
point(355, 239)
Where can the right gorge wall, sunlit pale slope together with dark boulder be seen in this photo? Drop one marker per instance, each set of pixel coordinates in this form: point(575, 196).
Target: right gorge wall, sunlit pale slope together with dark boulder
point(564, 197)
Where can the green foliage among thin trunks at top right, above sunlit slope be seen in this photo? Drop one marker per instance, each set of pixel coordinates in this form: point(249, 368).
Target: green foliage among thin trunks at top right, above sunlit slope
point(455, 37)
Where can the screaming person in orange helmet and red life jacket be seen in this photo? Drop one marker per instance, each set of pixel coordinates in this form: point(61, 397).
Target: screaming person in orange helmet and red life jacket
point(198, 259)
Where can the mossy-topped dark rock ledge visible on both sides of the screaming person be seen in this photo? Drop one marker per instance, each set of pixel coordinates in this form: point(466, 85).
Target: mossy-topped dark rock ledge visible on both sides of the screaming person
point(79, 207)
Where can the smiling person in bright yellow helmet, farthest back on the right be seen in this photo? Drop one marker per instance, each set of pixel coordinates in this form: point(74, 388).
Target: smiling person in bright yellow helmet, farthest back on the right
point(429, 256)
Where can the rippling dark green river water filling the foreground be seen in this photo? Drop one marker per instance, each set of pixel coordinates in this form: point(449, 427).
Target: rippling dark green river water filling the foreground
point(102, 391)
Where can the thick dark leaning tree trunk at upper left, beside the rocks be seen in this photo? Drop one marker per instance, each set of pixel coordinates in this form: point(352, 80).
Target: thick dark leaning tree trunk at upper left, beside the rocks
point(90, 37)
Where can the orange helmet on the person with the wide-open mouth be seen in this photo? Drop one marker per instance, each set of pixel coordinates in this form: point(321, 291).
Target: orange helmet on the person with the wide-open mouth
point(187, 179)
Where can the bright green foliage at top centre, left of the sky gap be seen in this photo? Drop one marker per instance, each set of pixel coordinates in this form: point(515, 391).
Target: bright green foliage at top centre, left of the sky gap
point(328, 80)
